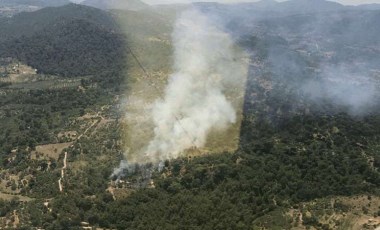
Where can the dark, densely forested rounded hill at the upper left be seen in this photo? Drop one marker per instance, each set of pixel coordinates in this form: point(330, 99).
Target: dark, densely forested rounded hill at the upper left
point(70, 40)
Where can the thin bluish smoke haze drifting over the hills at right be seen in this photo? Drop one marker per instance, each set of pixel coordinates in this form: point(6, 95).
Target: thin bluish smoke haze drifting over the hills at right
point(325, 62)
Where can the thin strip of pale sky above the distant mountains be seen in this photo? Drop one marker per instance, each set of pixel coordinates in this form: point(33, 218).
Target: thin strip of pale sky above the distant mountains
point(346, 2)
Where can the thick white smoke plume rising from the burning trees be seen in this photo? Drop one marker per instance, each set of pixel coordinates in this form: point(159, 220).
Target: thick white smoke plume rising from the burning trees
point(206, 64)
